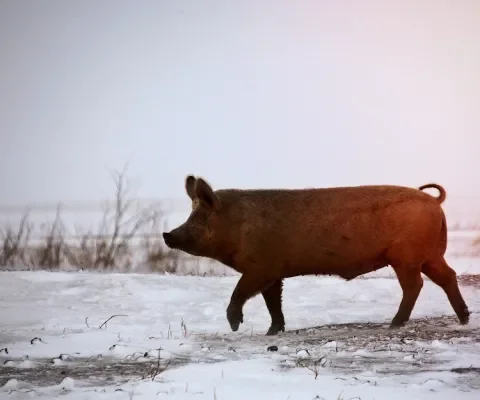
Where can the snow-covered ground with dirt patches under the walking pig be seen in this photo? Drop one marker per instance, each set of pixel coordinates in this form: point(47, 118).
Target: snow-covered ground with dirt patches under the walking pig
point(51, 343)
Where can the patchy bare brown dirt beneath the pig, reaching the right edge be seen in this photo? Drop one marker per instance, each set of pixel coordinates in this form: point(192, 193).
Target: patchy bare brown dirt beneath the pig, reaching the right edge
point(423, 345)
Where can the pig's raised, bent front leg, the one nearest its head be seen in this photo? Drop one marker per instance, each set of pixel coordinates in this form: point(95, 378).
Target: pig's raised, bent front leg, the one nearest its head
point(248, 286)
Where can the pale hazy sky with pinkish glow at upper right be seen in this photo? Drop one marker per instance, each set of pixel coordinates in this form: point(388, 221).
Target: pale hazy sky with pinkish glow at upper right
point(250, 94)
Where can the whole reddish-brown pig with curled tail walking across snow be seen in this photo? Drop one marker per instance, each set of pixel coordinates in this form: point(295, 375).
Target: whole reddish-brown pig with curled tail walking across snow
point(268, 235)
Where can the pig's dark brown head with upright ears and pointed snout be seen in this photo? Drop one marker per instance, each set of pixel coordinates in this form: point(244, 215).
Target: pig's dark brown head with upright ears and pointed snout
point(205, 229)
